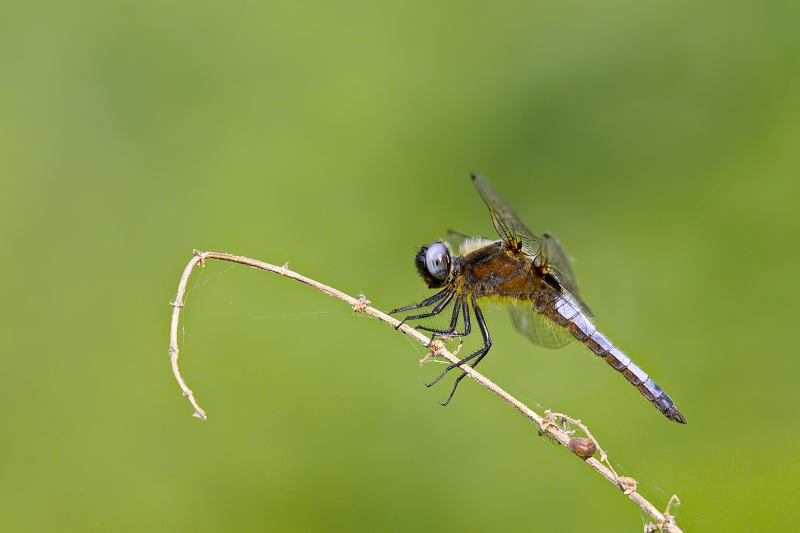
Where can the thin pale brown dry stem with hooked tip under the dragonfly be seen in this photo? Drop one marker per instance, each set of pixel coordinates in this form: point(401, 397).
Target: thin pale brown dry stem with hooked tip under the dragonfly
point(548, 424)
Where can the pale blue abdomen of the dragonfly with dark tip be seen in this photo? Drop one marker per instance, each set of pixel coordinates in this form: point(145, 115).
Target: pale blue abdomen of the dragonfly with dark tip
point(567, 313)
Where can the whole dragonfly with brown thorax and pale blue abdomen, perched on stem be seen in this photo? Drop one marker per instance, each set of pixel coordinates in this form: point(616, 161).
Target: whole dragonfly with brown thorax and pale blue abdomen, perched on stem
point(530, 275)
